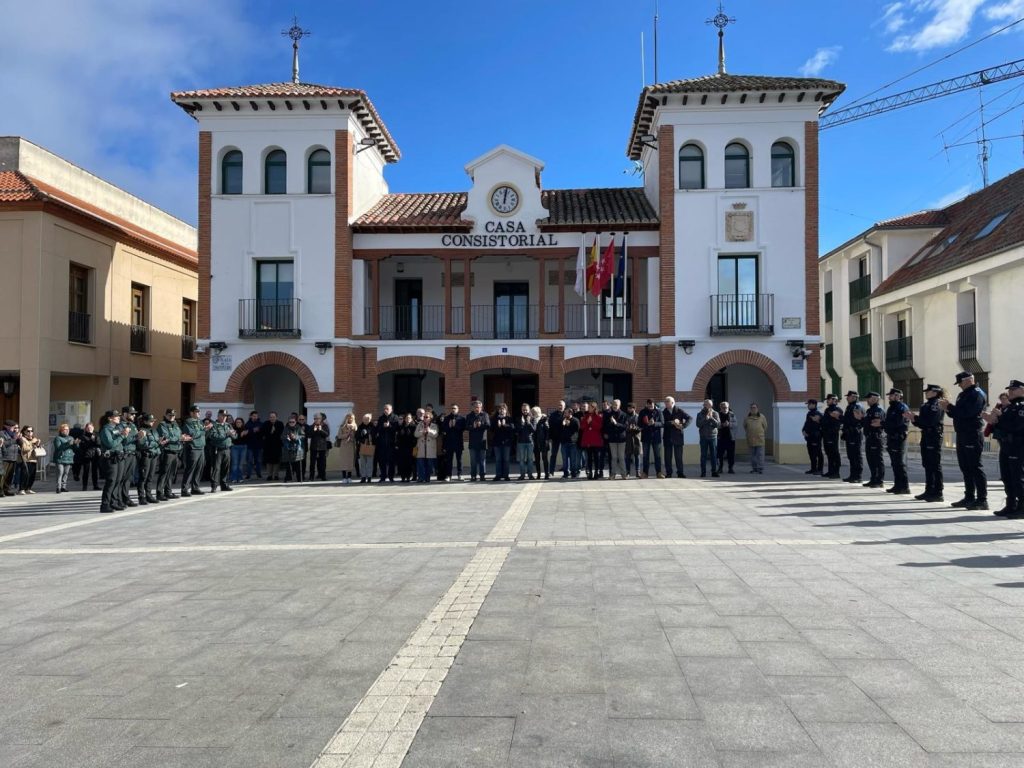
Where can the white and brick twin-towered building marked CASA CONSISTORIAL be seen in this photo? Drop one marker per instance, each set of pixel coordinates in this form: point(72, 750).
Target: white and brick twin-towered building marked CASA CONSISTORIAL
point(322, 290)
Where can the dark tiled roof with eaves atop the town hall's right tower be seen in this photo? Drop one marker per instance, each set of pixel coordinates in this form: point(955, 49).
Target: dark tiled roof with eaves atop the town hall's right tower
point(823, 92)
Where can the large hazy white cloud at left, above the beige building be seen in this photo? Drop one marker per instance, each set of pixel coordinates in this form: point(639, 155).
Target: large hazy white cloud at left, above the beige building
point(94, 88)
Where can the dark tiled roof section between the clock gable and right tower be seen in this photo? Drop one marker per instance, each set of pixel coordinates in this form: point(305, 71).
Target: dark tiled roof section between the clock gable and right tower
point(616, 207)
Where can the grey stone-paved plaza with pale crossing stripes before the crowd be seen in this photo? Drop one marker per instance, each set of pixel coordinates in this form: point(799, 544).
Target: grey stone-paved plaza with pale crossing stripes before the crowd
point(774, 622)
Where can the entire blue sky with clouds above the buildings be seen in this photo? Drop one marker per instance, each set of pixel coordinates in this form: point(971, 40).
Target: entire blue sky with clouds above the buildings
point(559, 79)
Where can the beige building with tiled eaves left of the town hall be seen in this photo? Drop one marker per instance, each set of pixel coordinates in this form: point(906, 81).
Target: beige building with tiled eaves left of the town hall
point(101, 295)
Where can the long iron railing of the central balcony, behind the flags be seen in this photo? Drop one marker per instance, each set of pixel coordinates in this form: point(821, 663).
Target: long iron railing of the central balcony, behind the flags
point(486, 322)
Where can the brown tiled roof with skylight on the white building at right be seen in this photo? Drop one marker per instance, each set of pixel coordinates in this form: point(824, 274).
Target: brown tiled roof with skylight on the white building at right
point(957, 244)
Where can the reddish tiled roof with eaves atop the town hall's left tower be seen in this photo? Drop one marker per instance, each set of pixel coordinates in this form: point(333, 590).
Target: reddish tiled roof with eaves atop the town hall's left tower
point(363, 107)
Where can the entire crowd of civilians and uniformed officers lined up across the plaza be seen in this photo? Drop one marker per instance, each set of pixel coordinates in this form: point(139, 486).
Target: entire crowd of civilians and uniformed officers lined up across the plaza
point(579, 441)
